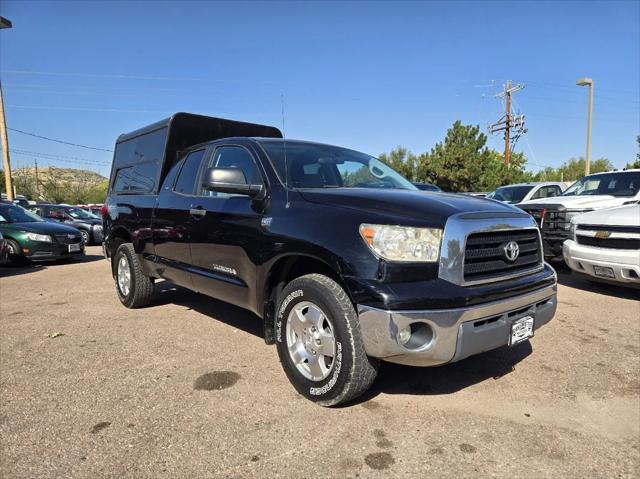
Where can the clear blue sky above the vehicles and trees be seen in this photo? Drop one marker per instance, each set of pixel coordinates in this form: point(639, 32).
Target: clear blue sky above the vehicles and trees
point(368, 76)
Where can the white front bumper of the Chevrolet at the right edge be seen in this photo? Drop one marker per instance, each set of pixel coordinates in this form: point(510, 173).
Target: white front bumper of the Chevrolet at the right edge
point(582, 259)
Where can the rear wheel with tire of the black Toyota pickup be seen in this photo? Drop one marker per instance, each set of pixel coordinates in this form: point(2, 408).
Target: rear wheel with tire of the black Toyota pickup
point(133, 286)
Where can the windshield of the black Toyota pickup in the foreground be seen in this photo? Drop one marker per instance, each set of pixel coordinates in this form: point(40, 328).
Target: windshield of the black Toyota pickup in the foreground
point(312, 165)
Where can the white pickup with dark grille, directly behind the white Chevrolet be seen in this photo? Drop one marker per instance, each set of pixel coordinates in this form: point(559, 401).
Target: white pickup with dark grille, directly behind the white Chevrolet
point(593, 192)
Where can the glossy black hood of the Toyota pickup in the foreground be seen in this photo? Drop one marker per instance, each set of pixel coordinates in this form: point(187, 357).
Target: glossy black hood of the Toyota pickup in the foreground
point(406, 203)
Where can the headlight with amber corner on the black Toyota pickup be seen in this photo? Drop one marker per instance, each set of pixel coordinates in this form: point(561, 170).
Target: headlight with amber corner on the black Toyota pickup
point(403, 243)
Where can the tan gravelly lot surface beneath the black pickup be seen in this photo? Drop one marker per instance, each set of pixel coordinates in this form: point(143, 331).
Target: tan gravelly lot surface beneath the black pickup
point(187, 388)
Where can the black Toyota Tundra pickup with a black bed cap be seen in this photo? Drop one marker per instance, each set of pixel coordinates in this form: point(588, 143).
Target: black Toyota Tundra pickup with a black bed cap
point(342, 258)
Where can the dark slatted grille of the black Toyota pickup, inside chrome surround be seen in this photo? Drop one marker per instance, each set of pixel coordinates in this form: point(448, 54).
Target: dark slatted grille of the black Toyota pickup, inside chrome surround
point(486, 254)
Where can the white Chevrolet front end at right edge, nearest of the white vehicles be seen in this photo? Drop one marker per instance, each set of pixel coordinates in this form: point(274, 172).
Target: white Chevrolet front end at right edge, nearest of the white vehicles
point(605, 245)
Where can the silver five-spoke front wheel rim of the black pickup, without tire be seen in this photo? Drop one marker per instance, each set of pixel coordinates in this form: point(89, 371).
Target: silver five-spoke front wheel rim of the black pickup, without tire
point(310, 341)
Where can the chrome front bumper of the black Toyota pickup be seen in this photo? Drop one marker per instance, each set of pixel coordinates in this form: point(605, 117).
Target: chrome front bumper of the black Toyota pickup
point(456, 333)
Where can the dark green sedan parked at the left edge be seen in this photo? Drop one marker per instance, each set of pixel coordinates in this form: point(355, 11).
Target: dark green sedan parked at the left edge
point(28, 236)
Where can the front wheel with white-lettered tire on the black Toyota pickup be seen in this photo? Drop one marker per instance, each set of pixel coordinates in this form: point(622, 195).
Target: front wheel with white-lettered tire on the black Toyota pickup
point(315, 308)
